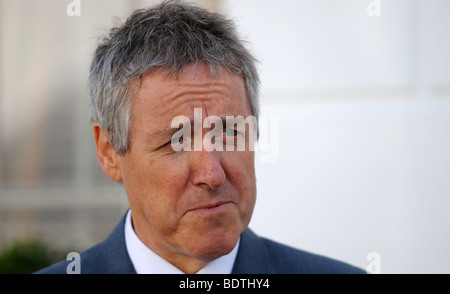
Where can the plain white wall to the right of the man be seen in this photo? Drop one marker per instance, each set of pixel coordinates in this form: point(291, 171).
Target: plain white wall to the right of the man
point(364, 144)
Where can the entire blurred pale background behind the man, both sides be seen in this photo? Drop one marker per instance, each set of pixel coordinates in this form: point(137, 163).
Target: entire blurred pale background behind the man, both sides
point(362, 99)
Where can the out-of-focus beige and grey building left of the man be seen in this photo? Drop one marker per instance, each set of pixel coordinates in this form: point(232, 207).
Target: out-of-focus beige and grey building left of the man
point(51, 185)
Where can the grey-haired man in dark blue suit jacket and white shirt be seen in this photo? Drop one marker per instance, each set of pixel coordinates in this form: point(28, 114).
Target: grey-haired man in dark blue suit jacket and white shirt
point(190, 206)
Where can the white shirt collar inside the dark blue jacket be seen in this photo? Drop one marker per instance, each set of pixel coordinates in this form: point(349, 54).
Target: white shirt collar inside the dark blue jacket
point(145, 261)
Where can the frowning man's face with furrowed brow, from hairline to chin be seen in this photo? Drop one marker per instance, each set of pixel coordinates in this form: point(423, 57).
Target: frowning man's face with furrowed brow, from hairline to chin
point(187, 204)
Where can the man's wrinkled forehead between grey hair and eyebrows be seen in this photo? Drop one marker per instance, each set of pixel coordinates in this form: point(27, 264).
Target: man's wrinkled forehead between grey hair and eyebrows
point(161, 96)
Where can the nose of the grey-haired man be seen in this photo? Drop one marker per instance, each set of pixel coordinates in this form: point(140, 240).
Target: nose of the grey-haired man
point(207, 171)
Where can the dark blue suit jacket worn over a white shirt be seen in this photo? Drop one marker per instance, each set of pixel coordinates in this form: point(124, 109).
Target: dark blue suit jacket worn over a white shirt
point(256, 255)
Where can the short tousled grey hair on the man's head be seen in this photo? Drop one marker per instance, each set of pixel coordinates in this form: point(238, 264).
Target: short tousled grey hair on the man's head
point(168, 36)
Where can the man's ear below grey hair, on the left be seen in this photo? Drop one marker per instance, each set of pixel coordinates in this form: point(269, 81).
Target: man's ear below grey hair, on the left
point(107, 156)
